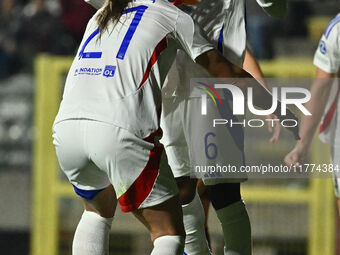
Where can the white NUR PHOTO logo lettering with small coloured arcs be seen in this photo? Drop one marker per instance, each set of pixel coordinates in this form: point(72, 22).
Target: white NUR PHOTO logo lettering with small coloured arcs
point(227, 95)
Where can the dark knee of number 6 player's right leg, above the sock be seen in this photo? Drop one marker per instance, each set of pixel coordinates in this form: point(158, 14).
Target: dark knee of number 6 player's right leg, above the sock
point(225, 194)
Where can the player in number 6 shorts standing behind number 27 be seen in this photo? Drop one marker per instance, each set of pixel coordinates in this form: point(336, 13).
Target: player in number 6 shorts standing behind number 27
point(223, 24)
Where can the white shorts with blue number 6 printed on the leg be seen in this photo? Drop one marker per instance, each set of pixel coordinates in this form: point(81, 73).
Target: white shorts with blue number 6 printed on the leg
point(190, 141)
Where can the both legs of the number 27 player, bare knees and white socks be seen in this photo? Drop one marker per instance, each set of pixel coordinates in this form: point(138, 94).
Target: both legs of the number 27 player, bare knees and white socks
point(164, 222)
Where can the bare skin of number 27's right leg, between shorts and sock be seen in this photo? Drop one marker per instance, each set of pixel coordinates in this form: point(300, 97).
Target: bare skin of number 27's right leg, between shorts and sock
point(163, 219)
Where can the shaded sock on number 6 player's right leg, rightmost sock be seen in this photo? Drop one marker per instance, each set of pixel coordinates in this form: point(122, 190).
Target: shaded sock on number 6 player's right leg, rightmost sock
point(236, 229)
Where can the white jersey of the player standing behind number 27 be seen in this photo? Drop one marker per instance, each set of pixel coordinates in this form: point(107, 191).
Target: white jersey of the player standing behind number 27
point(223, 24)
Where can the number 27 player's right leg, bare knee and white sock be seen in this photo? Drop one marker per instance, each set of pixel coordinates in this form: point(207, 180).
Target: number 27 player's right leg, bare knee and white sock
point(165, 223)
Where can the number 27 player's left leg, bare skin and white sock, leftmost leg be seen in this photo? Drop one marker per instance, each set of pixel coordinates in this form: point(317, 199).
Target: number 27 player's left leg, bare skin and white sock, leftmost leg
point(92, 234)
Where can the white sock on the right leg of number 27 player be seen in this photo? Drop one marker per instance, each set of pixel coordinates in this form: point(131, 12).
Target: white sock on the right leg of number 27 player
point(168, 245)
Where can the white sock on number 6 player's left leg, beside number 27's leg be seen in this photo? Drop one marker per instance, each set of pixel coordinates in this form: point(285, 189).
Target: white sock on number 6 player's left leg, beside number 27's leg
point(193, 218)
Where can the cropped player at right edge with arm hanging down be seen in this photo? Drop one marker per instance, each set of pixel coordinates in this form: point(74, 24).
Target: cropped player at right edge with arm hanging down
point(324, 104)
